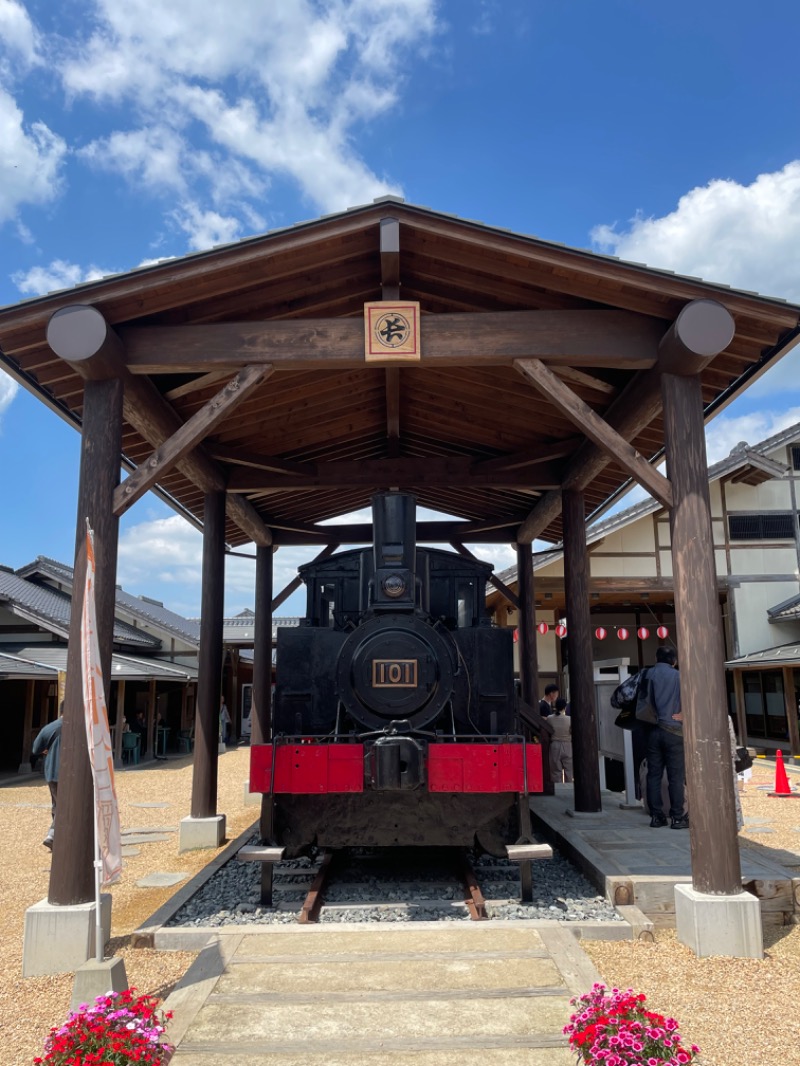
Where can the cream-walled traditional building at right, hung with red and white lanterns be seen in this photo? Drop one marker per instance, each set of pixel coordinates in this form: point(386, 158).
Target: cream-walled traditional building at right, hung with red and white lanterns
point(755, 495)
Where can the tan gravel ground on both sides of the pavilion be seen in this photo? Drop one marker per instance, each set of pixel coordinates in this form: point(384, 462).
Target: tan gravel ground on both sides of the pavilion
point(737, 1010)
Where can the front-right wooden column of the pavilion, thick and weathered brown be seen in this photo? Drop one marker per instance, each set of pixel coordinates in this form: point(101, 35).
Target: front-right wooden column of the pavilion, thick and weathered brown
point(715, 854)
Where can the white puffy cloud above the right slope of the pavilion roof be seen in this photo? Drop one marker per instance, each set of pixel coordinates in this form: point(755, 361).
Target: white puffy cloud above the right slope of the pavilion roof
point(744, 236)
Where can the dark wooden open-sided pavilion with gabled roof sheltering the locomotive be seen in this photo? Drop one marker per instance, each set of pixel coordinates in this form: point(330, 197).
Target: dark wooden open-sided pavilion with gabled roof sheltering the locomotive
point(513, 383)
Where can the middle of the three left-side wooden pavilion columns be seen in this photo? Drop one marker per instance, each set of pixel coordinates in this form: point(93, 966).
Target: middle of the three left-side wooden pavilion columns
point(210, 673)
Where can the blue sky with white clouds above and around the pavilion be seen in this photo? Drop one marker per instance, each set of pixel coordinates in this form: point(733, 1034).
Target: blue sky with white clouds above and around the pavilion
point(131, 132)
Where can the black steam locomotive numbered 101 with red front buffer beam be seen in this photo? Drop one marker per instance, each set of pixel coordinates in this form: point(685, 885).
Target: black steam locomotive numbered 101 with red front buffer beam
point(395, 719)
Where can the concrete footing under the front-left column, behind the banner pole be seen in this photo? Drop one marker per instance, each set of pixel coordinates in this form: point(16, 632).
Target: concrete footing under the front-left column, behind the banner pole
point(59, 940)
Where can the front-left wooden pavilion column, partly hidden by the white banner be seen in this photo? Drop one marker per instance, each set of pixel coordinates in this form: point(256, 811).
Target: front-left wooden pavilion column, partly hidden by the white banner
point(72, 874)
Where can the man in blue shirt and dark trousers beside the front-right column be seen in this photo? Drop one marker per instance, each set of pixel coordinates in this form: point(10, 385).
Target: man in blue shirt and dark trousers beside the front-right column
point(665, 745)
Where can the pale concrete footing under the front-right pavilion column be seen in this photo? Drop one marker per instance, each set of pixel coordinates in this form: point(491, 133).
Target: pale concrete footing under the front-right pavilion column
point(719, 925)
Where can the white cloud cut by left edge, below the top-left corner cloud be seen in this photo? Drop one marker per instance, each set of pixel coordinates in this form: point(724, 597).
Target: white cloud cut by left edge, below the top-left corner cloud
point(30, 163)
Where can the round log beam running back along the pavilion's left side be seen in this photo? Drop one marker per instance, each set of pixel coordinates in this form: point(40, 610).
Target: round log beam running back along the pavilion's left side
point(82, 337)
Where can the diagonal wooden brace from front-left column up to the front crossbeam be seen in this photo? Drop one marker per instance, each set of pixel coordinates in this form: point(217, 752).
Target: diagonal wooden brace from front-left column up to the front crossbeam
point(190, 434)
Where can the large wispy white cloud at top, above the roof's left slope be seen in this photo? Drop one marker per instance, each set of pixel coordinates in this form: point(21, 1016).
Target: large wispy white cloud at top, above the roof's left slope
point(280, 87)
